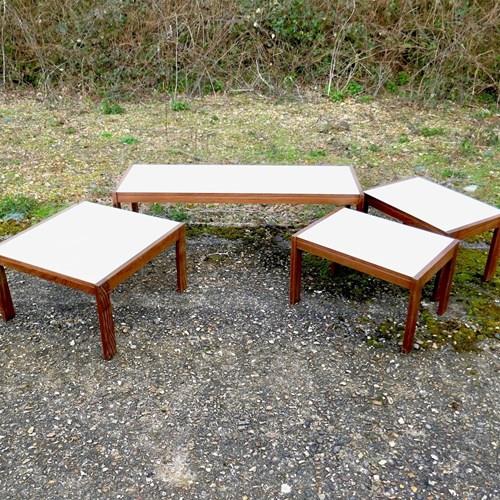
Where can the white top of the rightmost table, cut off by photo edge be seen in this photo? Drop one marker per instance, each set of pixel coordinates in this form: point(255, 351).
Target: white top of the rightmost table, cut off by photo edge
point(436, 205)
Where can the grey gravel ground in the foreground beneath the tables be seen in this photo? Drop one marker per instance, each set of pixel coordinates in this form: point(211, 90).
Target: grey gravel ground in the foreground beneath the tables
point(225, 391)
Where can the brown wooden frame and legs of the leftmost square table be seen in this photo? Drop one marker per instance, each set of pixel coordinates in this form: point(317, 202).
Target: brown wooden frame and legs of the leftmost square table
point(101, 290)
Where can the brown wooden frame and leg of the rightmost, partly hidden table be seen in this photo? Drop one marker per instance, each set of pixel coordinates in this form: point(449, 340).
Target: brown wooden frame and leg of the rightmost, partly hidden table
point(460, 233)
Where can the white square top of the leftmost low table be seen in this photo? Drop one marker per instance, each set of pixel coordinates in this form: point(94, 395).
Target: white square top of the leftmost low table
point(87, 241)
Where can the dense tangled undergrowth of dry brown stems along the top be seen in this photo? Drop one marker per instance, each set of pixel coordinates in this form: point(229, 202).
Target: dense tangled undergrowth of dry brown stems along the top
point(441, 48)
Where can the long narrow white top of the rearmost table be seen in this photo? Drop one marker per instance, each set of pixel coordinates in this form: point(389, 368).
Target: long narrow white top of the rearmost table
point(241, 179)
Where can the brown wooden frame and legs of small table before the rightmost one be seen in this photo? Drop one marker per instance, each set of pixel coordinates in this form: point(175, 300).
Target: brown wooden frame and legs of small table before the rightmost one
point(444, 264)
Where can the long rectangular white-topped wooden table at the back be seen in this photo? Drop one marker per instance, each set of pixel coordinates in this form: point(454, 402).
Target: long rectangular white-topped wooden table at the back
point(239, 184)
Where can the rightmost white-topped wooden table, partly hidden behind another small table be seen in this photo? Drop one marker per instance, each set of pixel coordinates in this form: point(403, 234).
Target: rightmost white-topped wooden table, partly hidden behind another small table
point(425, 204)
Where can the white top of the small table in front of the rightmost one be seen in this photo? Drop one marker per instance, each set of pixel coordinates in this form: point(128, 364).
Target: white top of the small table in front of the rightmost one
point(390, 245)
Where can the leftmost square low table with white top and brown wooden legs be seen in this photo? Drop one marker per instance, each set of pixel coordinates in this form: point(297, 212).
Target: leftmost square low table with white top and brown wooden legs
point(92, 248)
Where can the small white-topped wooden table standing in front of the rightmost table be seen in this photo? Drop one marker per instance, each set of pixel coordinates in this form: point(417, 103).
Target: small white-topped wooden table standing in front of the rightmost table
point(399, 254)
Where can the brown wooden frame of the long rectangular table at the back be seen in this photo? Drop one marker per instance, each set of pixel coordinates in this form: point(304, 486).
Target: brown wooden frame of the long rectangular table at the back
point(134, 198)
